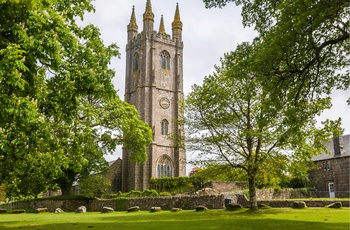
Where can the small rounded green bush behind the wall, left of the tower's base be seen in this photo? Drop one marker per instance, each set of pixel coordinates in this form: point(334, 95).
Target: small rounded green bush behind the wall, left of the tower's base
point(94, 185)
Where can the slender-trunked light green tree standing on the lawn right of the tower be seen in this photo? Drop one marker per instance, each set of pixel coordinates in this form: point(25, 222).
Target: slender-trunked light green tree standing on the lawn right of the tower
point(232, 119)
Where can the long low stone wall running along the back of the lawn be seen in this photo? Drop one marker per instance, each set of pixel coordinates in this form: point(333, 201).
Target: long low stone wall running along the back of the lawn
point(166, 203)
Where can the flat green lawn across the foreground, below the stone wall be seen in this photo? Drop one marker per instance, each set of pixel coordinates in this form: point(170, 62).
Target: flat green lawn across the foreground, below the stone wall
point(272, 219)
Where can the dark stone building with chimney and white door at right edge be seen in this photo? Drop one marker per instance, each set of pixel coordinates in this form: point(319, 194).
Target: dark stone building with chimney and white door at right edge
point(331, 177)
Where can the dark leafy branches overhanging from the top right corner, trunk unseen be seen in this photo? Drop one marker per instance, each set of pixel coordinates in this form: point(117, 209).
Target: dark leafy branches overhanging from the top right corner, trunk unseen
point(303, 45)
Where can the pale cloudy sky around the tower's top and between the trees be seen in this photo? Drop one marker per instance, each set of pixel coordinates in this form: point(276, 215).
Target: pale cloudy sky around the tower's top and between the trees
point(207, 35)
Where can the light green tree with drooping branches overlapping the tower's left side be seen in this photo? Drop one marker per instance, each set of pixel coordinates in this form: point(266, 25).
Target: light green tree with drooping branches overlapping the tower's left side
point(96, 131)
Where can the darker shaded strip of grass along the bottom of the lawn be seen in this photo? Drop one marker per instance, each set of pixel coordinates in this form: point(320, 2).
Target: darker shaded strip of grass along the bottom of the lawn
point(193, 225)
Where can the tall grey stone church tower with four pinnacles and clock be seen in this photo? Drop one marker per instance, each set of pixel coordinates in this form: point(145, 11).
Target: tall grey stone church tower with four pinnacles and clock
point(154, 85)
